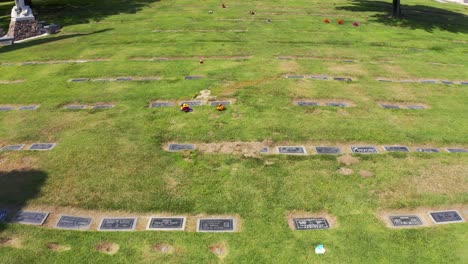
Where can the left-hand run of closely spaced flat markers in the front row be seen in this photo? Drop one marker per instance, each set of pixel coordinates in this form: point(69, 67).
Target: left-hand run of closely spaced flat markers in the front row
point(157, 223)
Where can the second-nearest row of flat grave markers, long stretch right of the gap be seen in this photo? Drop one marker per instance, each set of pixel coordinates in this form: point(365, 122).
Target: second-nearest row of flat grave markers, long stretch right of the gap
point(301, 150)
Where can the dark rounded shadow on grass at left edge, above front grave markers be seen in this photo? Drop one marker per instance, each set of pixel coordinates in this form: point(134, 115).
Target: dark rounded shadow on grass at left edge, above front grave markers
point(17, 187)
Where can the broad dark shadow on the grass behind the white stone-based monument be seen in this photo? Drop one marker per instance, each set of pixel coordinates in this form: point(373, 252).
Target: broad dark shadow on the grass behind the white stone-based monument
point(71, 12)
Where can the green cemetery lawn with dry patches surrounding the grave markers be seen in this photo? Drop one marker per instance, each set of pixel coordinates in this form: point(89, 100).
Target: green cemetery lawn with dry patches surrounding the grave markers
point(113, 159)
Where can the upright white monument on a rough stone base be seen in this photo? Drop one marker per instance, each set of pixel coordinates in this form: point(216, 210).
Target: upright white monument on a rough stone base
point(23, 24)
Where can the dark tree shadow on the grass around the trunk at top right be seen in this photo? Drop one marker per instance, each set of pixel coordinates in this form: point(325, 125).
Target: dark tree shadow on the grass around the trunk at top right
point(414, 17)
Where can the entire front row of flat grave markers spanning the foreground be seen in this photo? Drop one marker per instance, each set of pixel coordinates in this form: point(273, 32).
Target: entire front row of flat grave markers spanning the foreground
point(177, 223)
